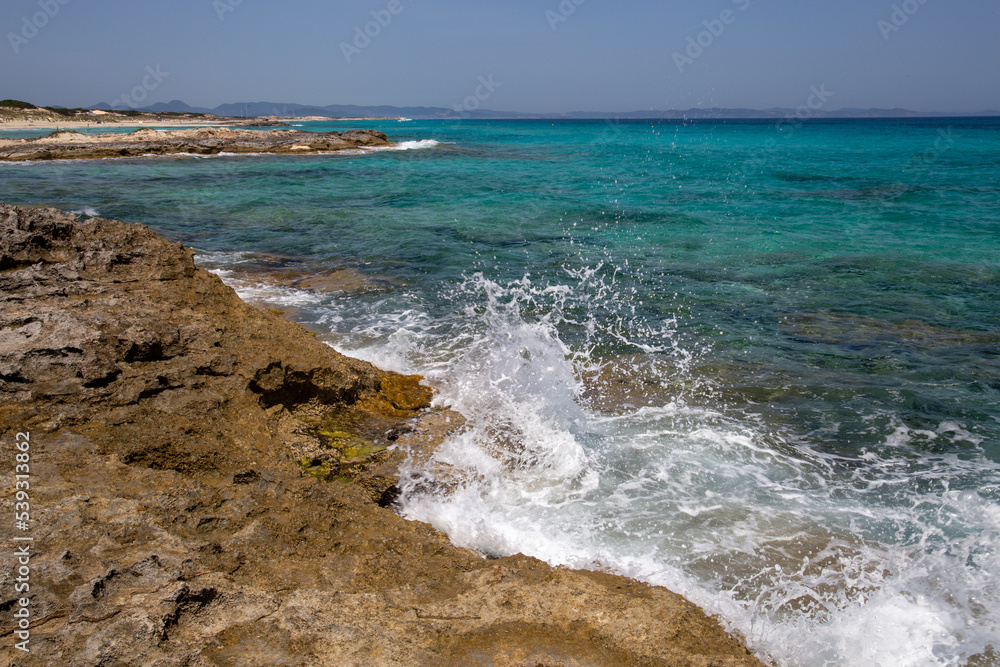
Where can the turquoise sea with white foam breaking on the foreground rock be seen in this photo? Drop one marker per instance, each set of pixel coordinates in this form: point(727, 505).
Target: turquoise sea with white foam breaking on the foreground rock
point(755, 362)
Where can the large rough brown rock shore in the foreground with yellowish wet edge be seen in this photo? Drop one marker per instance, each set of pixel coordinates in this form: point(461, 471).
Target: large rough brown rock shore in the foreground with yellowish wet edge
point(211, 485)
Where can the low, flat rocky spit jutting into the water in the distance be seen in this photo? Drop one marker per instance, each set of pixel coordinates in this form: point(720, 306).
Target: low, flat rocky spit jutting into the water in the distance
point(71, 145)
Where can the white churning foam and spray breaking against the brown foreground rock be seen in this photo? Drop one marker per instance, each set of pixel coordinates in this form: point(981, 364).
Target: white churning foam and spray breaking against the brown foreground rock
point(886, 558)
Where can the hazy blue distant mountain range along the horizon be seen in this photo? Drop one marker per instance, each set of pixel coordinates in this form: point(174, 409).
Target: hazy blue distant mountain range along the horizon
point(286, 110)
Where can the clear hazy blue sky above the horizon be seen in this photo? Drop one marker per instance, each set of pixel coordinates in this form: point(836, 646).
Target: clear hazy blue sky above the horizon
point(544, 55)
